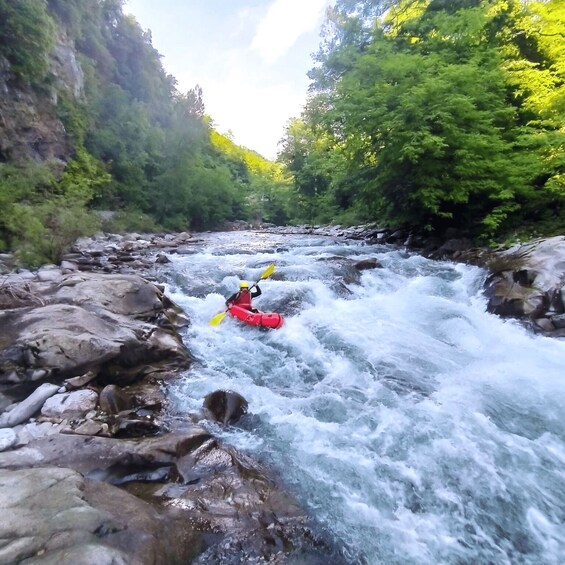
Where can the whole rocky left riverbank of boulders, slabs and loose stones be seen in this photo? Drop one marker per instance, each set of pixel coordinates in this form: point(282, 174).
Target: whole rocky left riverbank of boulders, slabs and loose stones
point(93, 467)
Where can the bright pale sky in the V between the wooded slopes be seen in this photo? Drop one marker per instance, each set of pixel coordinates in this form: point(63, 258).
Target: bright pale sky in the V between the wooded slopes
point(250, 57)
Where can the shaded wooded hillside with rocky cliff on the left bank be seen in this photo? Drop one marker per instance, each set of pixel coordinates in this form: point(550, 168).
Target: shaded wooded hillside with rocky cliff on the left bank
point(89, 120)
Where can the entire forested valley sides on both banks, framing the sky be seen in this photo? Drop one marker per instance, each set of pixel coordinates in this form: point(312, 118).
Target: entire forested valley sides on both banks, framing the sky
point(430, 114)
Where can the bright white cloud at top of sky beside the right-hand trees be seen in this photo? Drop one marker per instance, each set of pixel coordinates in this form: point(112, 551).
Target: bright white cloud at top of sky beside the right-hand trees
point(285, 22)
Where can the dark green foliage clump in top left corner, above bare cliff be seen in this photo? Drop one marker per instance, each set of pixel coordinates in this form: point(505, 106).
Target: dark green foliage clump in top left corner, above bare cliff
point(26, 37)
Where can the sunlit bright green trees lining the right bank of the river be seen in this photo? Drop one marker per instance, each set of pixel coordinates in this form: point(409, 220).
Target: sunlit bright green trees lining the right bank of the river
point(436, 114)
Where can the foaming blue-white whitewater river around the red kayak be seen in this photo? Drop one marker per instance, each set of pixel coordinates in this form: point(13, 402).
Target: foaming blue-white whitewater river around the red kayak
point(413, 426)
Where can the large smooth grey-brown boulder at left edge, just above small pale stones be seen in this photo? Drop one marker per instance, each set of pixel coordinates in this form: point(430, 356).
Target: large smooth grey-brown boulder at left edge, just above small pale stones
point(62, 341)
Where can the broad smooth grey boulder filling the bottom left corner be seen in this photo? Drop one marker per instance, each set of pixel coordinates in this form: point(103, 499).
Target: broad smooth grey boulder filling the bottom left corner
point(59, 517)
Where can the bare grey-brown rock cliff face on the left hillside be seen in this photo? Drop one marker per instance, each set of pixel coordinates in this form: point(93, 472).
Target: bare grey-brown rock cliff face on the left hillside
point(29, 125)
